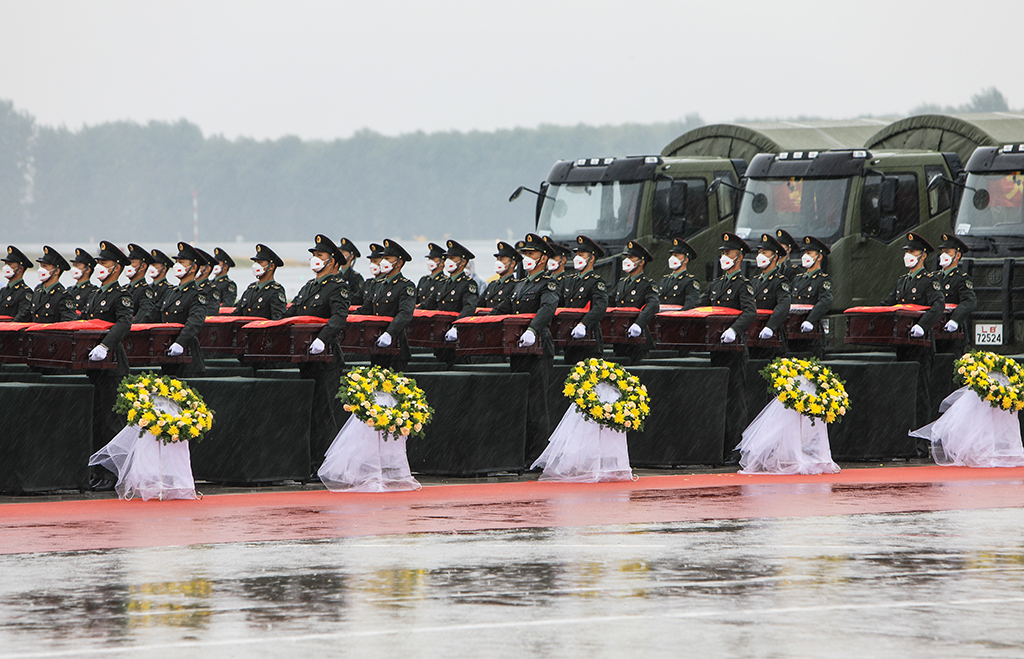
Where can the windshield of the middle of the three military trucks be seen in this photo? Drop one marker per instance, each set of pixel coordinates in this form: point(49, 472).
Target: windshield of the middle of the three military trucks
point(801, 206)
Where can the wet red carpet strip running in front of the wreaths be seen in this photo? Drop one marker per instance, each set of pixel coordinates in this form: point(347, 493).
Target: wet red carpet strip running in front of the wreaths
point(105, 524)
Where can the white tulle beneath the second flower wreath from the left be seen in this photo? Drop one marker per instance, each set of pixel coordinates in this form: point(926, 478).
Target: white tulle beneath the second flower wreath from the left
point(361, 460)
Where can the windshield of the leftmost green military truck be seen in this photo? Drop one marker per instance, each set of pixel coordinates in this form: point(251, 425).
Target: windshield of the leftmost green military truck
point(601, 211)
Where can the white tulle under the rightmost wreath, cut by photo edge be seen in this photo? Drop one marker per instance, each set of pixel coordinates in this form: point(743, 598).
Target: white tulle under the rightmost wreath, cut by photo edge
point(972, 433)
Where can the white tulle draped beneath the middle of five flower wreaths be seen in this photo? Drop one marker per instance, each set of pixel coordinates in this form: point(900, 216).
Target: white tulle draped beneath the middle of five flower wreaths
point(583, 452)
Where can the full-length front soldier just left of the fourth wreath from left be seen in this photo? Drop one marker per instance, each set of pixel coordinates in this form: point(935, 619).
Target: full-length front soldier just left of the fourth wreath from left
point(734, 291)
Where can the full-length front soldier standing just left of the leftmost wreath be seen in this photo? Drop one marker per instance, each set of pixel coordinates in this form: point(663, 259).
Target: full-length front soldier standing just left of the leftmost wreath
point(112, 303)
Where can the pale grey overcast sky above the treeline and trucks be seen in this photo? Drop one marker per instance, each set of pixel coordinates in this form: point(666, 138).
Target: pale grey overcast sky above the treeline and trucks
point(325, 70)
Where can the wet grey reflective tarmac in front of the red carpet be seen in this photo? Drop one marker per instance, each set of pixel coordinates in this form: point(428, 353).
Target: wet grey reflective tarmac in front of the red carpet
point(937, 585)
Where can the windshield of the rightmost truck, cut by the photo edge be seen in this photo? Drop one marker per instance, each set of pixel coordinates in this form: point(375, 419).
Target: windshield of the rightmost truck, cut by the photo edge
point(1003, 215)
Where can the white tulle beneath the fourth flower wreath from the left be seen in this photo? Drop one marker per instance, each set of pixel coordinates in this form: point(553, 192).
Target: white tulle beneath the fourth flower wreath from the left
point(784, 442)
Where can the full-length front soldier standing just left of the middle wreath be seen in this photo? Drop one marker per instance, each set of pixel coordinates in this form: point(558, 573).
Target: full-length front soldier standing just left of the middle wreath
point(537, 294)
